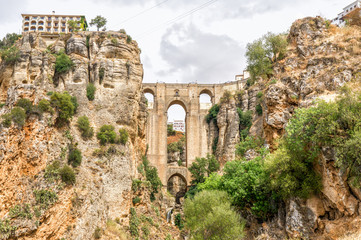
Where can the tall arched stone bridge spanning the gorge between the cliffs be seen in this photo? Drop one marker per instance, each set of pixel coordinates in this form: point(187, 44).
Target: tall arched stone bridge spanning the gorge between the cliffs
point(187, 95)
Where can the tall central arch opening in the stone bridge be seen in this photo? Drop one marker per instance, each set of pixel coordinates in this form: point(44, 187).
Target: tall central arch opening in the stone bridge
point(176, 135)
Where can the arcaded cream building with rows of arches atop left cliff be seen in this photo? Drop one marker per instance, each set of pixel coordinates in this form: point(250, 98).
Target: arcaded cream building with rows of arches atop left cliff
point(51, 23)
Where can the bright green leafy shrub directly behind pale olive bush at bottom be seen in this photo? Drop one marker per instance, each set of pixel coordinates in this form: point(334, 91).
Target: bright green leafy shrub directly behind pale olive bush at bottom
point(248, 185)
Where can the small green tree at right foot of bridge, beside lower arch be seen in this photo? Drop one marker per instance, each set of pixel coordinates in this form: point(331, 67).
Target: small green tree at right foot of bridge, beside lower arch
point(202, 168)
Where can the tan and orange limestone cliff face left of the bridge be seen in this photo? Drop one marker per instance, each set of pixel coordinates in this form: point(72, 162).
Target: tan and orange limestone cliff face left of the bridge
point(103, 184)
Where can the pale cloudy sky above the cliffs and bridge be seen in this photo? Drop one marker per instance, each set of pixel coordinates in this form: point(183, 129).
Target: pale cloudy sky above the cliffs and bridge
point(183, 40)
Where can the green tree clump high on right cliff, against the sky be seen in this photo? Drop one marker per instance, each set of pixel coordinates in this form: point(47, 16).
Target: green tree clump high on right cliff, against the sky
point(263, 52)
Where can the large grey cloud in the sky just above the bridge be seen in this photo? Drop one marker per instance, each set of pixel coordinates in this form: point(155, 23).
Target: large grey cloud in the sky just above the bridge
point(194, 55)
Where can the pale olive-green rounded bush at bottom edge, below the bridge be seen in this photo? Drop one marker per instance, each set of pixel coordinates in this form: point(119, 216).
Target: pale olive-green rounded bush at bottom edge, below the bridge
point(210, 216)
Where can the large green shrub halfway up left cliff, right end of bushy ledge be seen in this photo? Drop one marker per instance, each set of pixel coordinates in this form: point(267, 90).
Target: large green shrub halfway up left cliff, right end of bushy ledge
point(64, 104)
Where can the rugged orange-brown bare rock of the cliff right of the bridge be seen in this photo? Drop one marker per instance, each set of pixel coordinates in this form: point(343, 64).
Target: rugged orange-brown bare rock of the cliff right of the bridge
point(320, 60)
